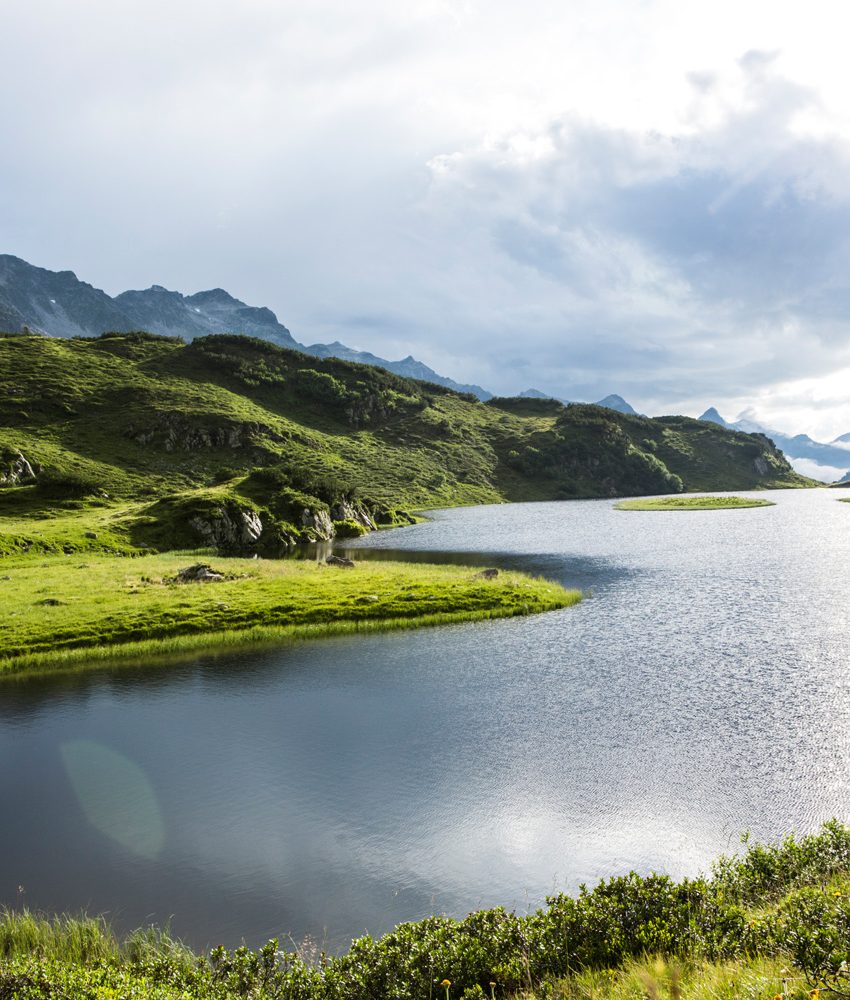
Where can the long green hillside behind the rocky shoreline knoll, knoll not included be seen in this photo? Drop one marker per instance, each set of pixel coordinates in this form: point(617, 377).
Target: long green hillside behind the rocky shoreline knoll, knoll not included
point(75, 406)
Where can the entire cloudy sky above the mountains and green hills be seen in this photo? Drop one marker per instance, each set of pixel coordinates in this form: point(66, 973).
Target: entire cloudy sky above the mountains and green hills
point(648, 197)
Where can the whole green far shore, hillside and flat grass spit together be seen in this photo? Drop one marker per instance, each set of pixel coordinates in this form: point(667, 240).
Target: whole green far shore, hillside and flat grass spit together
point(118, 450)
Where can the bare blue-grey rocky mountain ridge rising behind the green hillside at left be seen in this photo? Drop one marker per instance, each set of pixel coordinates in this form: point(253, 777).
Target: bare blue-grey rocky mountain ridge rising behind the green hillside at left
point(59, 304)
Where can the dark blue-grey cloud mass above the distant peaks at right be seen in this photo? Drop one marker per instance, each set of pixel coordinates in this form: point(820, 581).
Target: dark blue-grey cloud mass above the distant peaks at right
point(709, 261)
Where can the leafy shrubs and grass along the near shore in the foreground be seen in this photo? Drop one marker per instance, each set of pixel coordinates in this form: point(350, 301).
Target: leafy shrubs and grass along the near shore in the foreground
point(772, 923)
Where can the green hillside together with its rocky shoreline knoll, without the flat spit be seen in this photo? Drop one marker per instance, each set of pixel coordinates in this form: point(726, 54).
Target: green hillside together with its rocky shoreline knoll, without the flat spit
point(233, 442)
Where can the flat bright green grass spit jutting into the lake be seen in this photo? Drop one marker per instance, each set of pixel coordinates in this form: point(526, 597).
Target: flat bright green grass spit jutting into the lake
point(63, 611)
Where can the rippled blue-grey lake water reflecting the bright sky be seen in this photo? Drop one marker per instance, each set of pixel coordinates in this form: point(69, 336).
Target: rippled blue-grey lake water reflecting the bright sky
point(335, 787)
